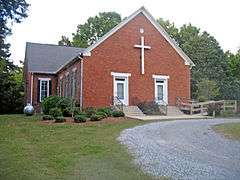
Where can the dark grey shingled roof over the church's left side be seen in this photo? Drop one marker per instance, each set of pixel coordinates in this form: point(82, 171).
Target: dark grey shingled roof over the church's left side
point(49, 58)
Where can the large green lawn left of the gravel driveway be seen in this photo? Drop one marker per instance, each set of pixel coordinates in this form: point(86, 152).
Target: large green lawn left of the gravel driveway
point(32, 150)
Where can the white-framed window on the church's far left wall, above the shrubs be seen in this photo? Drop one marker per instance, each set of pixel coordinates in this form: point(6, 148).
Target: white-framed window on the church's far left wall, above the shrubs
point(44, 89)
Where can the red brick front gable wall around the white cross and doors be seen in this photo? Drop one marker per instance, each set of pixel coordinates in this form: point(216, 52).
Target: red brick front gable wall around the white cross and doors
point(117, 54)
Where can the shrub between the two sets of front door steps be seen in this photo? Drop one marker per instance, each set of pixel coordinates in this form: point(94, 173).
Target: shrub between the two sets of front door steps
point(150, 108)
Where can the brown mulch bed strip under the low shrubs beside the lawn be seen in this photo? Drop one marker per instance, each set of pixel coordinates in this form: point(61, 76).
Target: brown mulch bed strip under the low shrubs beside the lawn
point(69, 120)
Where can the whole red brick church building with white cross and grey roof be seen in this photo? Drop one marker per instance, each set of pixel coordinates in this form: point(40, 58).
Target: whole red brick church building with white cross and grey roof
point(136, 61)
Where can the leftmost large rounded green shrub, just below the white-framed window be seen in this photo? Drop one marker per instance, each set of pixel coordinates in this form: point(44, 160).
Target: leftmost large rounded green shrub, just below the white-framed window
point(49, 103)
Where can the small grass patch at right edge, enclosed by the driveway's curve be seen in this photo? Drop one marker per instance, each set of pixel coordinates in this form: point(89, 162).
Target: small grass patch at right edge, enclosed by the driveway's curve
point(229, 130)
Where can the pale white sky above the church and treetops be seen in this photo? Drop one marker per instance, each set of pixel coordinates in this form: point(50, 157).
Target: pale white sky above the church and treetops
point(48, 20)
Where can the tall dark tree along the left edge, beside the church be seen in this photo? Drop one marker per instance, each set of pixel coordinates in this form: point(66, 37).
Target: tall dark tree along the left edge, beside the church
point(11, 83)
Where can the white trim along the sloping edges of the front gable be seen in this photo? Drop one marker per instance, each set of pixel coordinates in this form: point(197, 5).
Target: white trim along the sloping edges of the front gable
point(161, 30)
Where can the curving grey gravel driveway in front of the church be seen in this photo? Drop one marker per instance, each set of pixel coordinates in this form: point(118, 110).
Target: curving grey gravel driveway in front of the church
point(186, 149)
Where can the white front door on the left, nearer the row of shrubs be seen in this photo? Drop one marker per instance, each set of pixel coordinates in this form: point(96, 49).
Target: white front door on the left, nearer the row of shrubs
point(121, 90)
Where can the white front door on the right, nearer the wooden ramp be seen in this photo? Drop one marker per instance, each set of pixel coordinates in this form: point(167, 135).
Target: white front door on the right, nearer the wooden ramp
point(161, 96)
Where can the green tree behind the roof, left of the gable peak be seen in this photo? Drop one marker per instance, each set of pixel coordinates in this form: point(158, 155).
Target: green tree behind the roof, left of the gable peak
point(92, 30)
